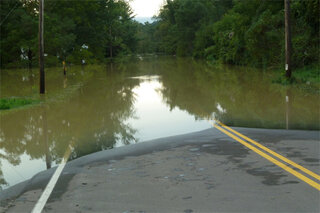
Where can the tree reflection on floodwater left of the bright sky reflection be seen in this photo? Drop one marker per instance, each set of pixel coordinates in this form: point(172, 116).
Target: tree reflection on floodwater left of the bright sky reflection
point(93, 117)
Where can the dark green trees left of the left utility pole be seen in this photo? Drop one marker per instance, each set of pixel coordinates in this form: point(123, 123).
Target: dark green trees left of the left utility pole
point(18, 33)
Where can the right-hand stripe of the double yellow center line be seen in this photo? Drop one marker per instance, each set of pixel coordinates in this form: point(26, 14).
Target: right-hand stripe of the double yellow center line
point(272, 152)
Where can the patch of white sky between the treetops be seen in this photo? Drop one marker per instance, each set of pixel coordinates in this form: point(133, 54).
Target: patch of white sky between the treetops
point(146, 8)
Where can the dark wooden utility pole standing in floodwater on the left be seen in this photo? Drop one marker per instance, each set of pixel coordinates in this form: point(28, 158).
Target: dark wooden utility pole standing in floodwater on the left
point(41, 47)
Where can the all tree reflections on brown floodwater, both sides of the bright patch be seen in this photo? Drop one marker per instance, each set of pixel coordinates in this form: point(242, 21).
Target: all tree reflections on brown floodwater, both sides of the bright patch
point(94, 106)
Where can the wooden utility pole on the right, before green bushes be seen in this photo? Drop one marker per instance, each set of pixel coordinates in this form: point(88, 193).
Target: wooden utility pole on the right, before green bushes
point(288, 38)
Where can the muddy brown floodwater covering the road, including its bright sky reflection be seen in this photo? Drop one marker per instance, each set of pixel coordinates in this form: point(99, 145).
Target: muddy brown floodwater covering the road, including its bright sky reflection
point(105, 106)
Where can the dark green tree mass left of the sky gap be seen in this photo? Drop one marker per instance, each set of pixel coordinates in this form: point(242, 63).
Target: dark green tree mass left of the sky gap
point(74, 30)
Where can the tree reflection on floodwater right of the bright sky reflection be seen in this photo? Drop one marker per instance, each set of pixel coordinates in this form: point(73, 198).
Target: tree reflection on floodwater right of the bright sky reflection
point(237, 96)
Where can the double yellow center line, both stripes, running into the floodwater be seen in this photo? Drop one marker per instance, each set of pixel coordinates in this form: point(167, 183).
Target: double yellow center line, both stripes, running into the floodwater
point(244, 140)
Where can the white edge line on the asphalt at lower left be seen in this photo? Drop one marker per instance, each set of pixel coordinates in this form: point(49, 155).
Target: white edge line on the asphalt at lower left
point(47, 192)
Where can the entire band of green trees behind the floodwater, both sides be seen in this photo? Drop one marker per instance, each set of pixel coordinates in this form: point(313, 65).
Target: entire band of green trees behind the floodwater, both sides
point(236, 32)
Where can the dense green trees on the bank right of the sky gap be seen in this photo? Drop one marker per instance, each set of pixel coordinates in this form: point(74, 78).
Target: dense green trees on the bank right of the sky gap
point(236, 31)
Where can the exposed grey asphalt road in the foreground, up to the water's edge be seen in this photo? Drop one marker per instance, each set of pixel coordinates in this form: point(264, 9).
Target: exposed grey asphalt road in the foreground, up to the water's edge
point(215, 170)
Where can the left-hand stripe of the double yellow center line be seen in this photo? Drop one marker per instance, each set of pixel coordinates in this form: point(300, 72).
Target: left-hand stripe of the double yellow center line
point(278, 163)
